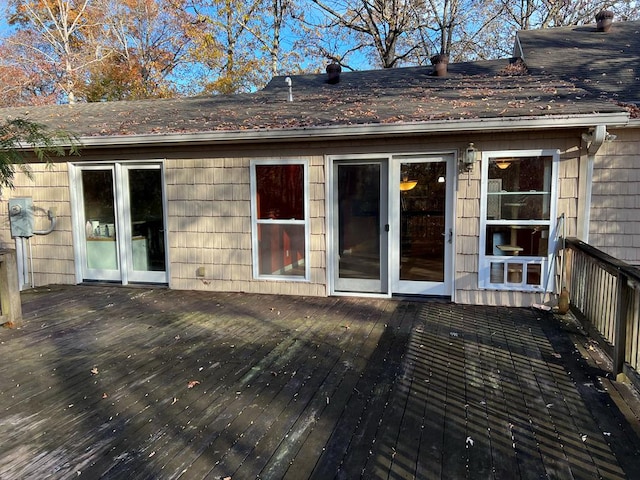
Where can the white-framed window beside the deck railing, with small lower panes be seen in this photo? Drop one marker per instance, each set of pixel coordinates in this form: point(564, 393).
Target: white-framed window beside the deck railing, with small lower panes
point(517, 219)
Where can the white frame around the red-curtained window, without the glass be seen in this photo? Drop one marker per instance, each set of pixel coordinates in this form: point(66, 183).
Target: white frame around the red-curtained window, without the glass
point(255, 221)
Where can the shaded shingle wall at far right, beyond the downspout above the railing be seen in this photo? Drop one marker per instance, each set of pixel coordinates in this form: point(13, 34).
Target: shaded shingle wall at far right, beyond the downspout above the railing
point(615, 207)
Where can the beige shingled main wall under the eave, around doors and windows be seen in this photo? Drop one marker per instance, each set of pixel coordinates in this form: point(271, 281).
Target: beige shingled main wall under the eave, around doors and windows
point(209, 220)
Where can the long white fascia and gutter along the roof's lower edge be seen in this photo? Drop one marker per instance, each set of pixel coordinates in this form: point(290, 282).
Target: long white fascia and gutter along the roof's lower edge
point(368, 130)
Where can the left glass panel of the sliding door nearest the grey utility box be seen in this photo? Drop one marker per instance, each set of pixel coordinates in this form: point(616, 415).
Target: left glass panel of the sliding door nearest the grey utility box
point(99, 220)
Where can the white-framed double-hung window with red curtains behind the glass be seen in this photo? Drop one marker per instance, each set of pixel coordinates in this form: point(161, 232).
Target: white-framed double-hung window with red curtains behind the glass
point(279, 219)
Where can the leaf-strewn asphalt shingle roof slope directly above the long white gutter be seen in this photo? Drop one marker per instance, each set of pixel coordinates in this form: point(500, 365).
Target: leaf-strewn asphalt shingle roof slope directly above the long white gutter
point(478, 90)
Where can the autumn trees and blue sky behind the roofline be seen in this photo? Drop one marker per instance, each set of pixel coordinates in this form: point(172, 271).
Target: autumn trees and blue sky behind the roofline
point(66, 51)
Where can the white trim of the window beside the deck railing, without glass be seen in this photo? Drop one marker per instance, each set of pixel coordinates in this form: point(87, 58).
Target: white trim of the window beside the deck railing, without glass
point(485, 261)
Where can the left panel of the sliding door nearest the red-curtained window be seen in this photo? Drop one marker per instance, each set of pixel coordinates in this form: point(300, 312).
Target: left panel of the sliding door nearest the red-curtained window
point(360, 218)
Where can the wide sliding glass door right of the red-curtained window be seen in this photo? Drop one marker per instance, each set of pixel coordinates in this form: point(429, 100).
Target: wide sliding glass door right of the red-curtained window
point(392, 224)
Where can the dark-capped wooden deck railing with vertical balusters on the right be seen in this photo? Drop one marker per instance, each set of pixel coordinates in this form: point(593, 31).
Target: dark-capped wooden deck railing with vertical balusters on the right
point(605, 297)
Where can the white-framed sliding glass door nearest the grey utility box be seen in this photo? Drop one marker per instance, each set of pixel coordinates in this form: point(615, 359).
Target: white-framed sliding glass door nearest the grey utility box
point(122, 223)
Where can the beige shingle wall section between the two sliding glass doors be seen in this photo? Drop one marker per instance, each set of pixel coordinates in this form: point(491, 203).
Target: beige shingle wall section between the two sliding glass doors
point(209, 220)
